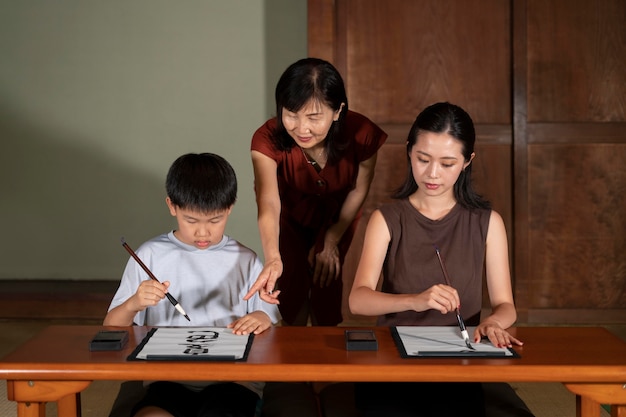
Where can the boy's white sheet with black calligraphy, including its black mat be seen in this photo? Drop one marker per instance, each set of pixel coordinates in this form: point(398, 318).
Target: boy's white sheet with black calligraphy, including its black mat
point(193, 343)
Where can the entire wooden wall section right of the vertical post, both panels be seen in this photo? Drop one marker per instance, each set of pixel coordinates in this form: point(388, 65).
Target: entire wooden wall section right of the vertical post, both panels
point(575, 140)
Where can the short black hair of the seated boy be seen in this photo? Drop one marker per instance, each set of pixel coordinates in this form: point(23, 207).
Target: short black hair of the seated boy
point(202, 182)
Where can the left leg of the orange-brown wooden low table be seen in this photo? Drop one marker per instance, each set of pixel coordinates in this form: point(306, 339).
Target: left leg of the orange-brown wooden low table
point(32, 396)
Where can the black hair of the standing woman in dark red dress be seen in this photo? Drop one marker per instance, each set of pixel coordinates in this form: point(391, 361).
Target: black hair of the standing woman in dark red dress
point(305, 80)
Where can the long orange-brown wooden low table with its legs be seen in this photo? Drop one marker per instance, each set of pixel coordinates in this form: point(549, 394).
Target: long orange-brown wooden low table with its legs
point(56, 365)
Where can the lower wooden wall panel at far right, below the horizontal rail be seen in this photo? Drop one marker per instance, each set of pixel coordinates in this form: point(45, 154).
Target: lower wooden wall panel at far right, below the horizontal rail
point(577, 226)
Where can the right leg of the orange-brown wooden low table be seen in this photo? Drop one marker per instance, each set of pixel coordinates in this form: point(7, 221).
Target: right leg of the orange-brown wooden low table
point(590, 396)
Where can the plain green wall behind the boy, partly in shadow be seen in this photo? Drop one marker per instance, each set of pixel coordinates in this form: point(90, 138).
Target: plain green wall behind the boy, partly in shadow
point(97, 98)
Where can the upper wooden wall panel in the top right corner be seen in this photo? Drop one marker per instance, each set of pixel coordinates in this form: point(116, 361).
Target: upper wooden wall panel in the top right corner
point(576, 60)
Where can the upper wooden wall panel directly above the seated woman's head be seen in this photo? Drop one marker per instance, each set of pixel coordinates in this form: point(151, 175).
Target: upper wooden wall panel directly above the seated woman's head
point(431, 51)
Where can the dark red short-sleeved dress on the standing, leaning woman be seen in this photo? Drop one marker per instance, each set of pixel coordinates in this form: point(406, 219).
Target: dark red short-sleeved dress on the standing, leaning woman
point(310, 204)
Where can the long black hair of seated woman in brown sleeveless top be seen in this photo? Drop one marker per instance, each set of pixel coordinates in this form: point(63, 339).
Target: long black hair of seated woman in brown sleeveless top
point(453, 120)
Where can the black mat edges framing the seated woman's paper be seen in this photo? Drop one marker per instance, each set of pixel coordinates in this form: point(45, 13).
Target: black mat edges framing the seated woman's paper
point(507, 353)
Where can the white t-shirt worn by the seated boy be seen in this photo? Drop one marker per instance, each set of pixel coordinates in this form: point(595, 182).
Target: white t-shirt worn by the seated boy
point(208, 283)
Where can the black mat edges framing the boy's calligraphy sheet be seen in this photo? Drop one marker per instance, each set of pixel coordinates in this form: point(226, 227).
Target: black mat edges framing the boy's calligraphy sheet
point(136, 355)
